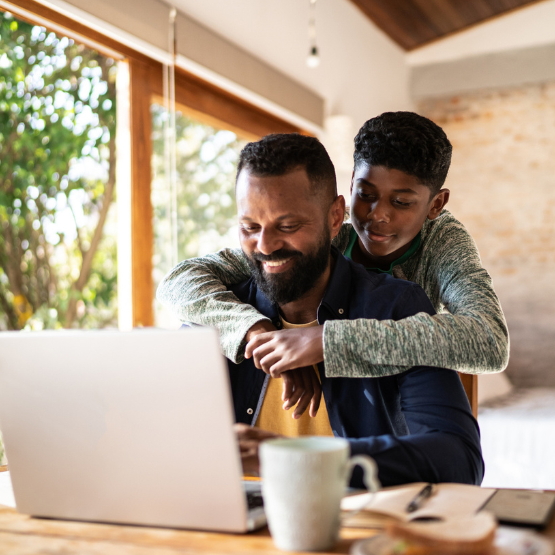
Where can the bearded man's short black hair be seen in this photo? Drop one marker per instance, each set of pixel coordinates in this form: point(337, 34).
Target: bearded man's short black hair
point(280, 153)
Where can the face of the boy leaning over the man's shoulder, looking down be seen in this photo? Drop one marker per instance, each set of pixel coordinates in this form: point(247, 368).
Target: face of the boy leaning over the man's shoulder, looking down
point(388, 209)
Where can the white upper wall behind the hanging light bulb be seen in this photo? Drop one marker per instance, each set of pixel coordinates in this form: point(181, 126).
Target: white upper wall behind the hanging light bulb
point(362, 72)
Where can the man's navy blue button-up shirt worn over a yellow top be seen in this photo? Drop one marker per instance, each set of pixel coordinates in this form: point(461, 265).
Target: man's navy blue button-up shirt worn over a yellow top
point(417, 425)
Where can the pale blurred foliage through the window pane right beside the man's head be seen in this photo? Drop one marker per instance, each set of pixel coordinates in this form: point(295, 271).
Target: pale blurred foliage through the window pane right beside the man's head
point(206, 164)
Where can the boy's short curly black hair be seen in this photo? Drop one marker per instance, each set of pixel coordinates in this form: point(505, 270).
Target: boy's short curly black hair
point(406, 142)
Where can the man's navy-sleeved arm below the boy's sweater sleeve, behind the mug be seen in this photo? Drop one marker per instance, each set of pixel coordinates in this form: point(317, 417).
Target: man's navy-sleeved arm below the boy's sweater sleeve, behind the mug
point(444, 445)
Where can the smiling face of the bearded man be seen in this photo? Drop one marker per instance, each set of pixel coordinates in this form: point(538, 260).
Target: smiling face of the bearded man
point(284, 232)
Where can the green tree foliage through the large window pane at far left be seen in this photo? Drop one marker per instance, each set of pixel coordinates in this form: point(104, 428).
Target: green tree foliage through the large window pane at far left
point(57, 133)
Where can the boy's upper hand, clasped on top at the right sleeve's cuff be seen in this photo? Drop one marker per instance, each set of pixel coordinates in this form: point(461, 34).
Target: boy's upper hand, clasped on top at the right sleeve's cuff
point(276, 352)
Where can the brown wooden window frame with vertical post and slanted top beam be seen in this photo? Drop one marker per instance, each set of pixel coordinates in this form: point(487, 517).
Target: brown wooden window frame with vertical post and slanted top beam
point(209, 102)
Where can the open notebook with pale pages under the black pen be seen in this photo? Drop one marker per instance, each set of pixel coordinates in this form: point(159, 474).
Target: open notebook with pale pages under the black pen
point(448, 502)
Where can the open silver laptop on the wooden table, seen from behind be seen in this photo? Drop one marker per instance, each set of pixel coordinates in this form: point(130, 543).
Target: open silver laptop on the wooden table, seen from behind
point(123, 427)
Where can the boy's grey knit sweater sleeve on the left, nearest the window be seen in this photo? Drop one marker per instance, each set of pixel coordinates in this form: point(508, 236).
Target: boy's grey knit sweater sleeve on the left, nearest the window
point(196, 291)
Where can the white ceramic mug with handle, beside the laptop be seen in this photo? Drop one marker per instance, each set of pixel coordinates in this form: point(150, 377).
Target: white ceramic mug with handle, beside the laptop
point(303, 482)
